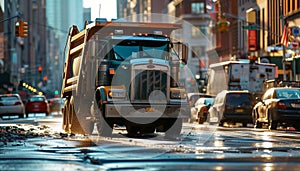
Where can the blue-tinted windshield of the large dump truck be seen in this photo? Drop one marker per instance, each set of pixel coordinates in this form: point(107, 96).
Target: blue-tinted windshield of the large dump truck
point(140, 49)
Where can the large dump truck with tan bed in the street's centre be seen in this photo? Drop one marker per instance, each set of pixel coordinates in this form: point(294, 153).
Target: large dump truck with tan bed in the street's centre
point(126, 74)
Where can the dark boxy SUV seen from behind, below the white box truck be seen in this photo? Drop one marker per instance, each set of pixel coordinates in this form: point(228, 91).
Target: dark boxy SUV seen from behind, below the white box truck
point(232, 107)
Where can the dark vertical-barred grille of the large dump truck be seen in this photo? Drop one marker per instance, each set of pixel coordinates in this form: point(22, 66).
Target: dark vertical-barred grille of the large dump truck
point(146, 81)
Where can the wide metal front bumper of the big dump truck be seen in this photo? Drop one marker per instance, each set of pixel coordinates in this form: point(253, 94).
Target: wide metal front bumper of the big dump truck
point(117, 110)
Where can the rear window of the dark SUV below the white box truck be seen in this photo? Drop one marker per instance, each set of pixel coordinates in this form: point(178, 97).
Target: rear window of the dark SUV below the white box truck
point(236, 99)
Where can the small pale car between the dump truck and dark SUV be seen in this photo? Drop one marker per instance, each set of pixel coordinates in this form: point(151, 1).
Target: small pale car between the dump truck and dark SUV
point(200, 110)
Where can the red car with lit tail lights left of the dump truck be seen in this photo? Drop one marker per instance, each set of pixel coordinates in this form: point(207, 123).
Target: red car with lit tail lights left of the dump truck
point(37, 105)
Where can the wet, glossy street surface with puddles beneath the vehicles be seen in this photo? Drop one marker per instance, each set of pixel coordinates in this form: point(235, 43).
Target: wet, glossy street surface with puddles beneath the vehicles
point(199, 147)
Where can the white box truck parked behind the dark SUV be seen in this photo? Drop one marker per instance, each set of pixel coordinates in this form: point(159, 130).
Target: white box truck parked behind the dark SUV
point(240, 75)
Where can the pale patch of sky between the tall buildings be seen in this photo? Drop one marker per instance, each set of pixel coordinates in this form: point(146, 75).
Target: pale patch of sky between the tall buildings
point(107, 8)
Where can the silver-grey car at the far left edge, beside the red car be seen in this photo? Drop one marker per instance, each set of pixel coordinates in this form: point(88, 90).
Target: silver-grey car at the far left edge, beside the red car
point(11, 105)
